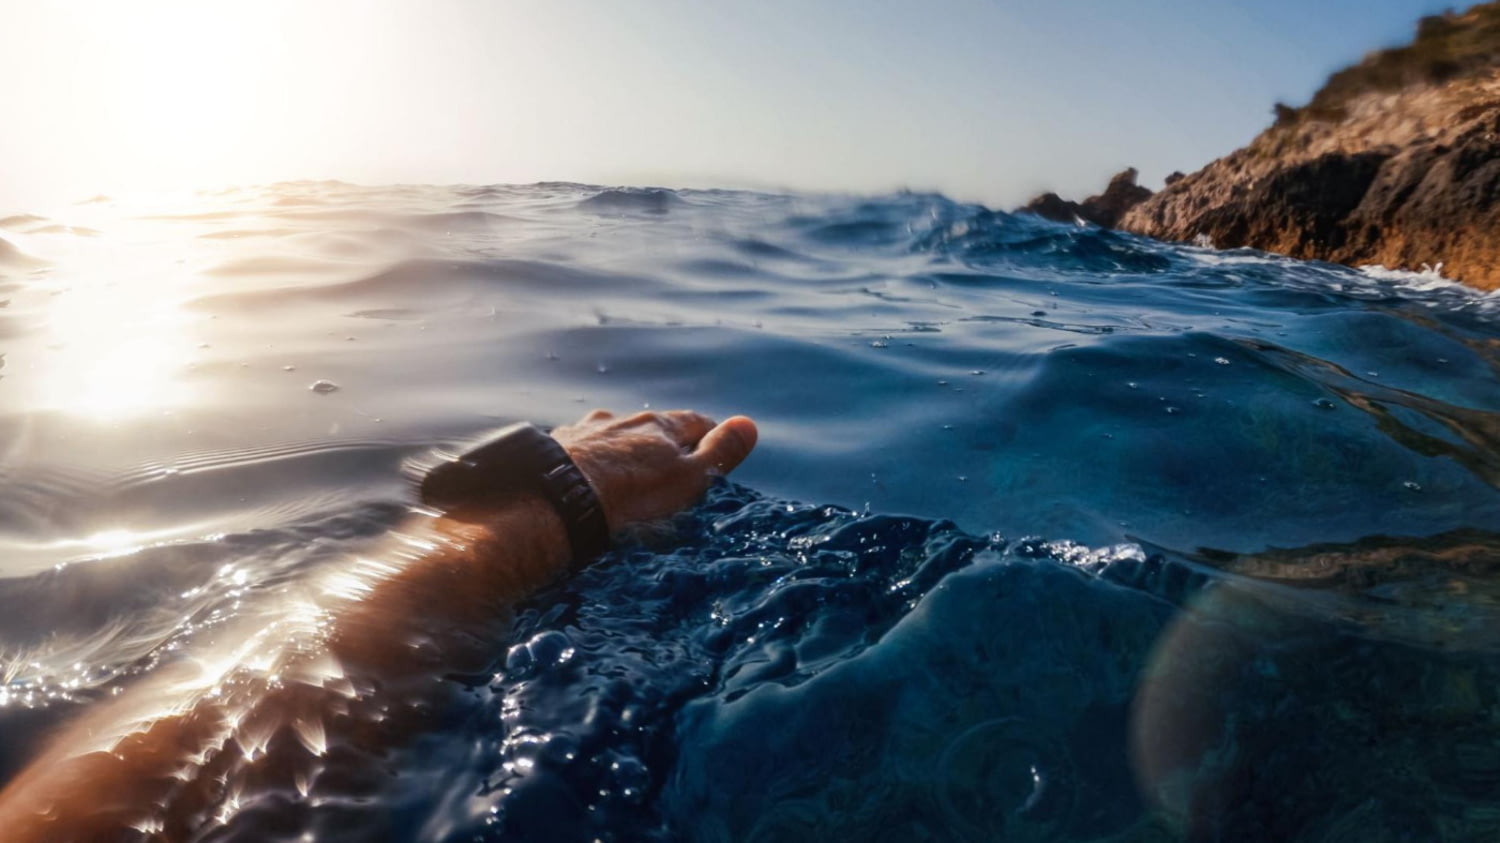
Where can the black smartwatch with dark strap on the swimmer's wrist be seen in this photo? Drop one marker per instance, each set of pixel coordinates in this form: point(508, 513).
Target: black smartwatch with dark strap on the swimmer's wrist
point(520, 461)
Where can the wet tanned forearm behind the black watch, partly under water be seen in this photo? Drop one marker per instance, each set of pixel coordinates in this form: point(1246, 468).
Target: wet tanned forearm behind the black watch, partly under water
point(415, 605)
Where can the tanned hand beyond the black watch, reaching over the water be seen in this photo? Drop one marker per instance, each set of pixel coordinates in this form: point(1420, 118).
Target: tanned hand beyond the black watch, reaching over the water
point(653, 464)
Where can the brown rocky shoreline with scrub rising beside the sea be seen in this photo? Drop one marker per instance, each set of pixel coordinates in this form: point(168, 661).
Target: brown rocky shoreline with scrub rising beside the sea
point(1394, 163)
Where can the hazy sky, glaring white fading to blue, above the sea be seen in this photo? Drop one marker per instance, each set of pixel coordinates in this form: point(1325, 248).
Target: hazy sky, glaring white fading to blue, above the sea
point(986, 101)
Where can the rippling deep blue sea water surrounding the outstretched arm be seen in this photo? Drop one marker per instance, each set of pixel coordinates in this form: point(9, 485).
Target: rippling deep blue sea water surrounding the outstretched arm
point(1052, 533)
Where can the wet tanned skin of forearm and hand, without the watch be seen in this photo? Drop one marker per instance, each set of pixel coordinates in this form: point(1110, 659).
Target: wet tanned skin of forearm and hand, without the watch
point(158, 758)
